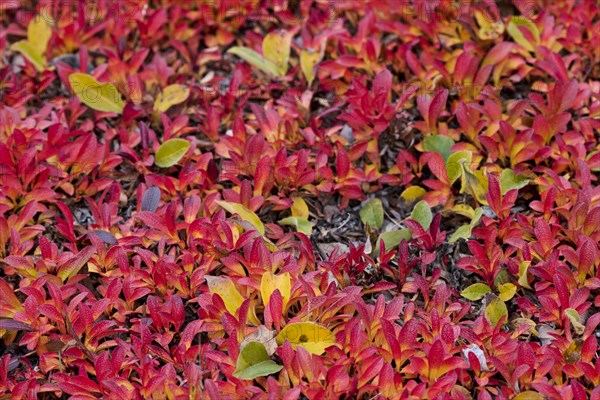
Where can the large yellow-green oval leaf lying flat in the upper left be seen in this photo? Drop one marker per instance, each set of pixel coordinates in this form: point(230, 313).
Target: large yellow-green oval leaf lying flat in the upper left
point(98, 96)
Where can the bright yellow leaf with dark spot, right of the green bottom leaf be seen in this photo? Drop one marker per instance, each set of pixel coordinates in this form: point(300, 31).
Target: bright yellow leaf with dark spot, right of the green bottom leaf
point(313, 337)
